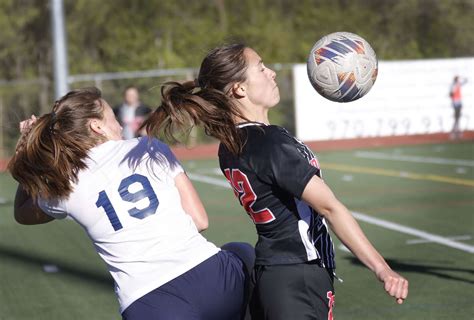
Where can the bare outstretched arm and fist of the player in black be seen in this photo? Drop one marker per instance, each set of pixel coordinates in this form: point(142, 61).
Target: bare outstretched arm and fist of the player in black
point(321, 198)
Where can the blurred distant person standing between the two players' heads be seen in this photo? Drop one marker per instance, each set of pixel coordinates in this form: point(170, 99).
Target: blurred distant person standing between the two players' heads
point(131, 113)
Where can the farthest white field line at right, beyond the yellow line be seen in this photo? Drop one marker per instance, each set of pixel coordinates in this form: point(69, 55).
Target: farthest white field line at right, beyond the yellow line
point(394, 157)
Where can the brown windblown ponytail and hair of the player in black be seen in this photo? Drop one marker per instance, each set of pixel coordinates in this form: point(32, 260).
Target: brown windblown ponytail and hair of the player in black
point(204, 101)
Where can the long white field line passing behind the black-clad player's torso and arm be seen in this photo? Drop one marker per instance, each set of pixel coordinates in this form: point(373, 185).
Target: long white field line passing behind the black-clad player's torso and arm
point(368, 219)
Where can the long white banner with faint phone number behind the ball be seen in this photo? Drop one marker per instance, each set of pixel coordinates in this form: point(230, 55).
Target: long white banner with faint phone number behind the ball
point(409, 97)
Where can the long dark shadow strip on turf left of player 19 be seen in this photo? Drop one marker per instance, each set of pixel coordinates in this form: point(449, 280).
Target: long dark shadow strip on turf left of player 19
point(64, 269)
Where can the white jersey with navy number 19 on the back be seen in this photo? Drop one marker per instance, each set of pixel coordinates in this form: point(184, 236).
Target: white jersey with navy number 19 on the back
point(129, 206)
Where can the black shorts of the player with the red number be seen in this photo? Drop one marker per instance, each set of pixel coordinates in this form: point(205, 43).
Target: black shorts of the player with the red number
point(296, 291)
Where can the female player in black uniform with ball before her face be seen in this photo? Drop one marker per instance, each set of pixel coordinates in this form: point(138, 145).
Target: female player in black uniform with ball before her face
point(277, 180)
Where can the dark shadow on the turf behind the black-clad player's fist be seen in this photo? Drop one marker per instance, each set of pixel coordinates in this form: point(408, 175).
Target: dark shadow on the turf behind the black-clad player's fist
point(422, 268)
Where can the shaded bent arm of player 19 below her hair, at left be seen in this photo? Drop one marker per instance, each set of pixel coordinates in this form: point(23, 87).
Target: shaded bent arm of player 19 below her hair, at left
point(26, 211)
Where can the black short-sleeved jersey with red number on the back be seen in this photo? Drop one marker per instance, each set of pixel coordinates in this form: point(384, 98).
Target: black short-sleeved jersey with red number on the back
point(268, 178)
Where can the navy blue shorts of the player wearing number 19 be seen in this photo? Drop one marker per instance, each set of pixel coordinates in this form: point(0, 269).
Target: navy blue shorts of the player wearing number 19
point(213, 290)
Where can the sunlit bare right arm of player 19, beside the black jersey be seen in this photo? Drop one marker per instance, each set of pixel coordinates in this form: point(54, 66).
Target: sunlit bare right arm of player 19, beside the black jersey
point(191, 202)
